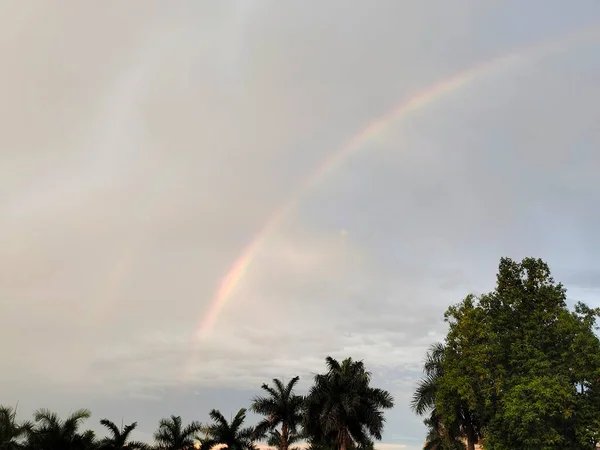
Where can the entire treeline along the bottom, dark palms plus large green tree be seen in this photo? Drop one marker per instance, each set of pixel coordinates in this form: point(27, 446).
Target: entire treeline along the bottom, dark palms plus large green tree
point(518, 369)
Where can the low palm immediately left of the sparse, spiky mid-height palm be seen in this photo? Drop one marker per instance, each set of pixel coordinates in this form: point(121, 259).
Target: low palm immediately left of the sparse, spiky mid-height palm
point(229, 435)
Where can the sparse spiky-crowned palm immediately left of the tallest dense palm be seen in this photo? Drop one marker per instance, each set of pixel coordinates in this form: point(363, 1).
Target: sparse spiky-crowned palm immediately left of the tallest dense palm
point(280, 407)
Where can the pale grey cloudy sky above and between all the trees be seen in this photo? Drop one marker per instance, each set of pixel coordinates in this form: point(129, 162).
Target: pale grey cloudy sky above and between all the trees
point(145, 145)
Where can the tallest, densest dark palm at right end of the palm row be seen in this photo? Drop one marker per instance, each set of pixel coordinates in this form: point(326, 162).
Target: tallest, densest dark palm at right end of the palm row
point(342, 408)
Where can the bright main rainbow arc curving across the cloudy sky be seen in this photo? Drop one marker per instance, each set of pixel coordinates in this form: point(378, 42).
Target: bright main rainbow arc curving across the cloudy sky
point(373, 129)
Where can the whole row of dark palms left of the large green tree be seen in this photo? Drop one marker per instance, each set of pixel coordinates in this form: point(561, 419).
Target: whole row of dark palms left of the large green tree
point(341, 411)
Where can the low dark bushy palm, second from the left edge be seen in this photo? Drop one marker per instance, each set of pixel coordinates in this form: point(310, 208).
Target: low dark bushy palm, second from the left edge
point(52, 433)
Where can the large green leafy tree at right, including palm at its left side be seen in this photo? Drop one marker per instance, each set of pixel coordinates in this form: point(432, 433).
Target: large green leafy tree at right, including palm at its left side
point(517, 370)
